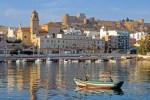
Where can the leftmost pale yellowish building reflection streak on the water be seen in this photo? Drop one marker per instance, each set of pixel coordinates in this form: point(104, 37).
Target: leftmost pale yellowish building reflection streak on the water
point(10, 79)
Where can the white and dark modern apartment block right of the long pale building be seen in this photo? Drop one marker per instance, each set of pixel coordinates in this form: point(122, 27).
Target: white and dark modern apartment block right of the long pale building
point(115, 39)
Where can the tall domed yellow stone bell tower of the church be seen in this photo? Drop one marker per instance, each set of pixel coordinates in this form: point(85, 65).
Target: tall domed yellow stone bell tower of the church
point(34, 25)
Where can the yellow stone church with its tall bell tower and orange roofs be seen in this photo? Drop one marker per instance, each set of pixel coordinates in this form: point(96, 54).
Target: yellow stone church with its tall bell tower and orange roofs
point(30, 35)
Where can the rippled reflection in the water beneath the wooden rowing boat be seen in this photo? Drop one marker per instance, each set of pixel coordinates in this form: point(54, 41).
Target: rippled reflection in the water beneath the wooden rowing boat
point(99, 91)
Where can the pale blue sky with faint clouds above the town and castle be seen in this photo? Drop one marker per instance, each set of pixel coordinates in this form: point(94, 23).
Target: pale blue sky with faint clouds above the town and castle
point(12, 12)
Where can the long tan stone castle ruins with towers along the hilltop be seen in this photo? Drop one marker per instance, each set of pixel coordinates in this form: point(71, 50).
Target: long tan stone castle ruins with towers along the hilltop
point(81, 21)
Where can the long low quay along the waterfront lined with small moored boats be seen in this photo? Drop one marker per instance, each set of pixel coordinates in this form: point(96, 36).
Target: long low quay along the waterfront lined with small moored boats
point(79, 57)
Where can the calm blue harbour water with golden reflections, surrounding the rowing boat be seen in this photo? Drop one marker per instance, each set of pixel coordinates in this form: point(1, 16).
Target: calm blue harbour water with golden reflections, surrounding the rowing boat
point(30, 81)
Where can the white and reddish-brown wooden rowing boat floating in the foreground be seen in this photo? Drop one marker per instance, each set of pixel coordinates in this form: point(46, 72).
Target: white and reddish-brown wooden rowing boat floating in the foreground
point(98, 84)
